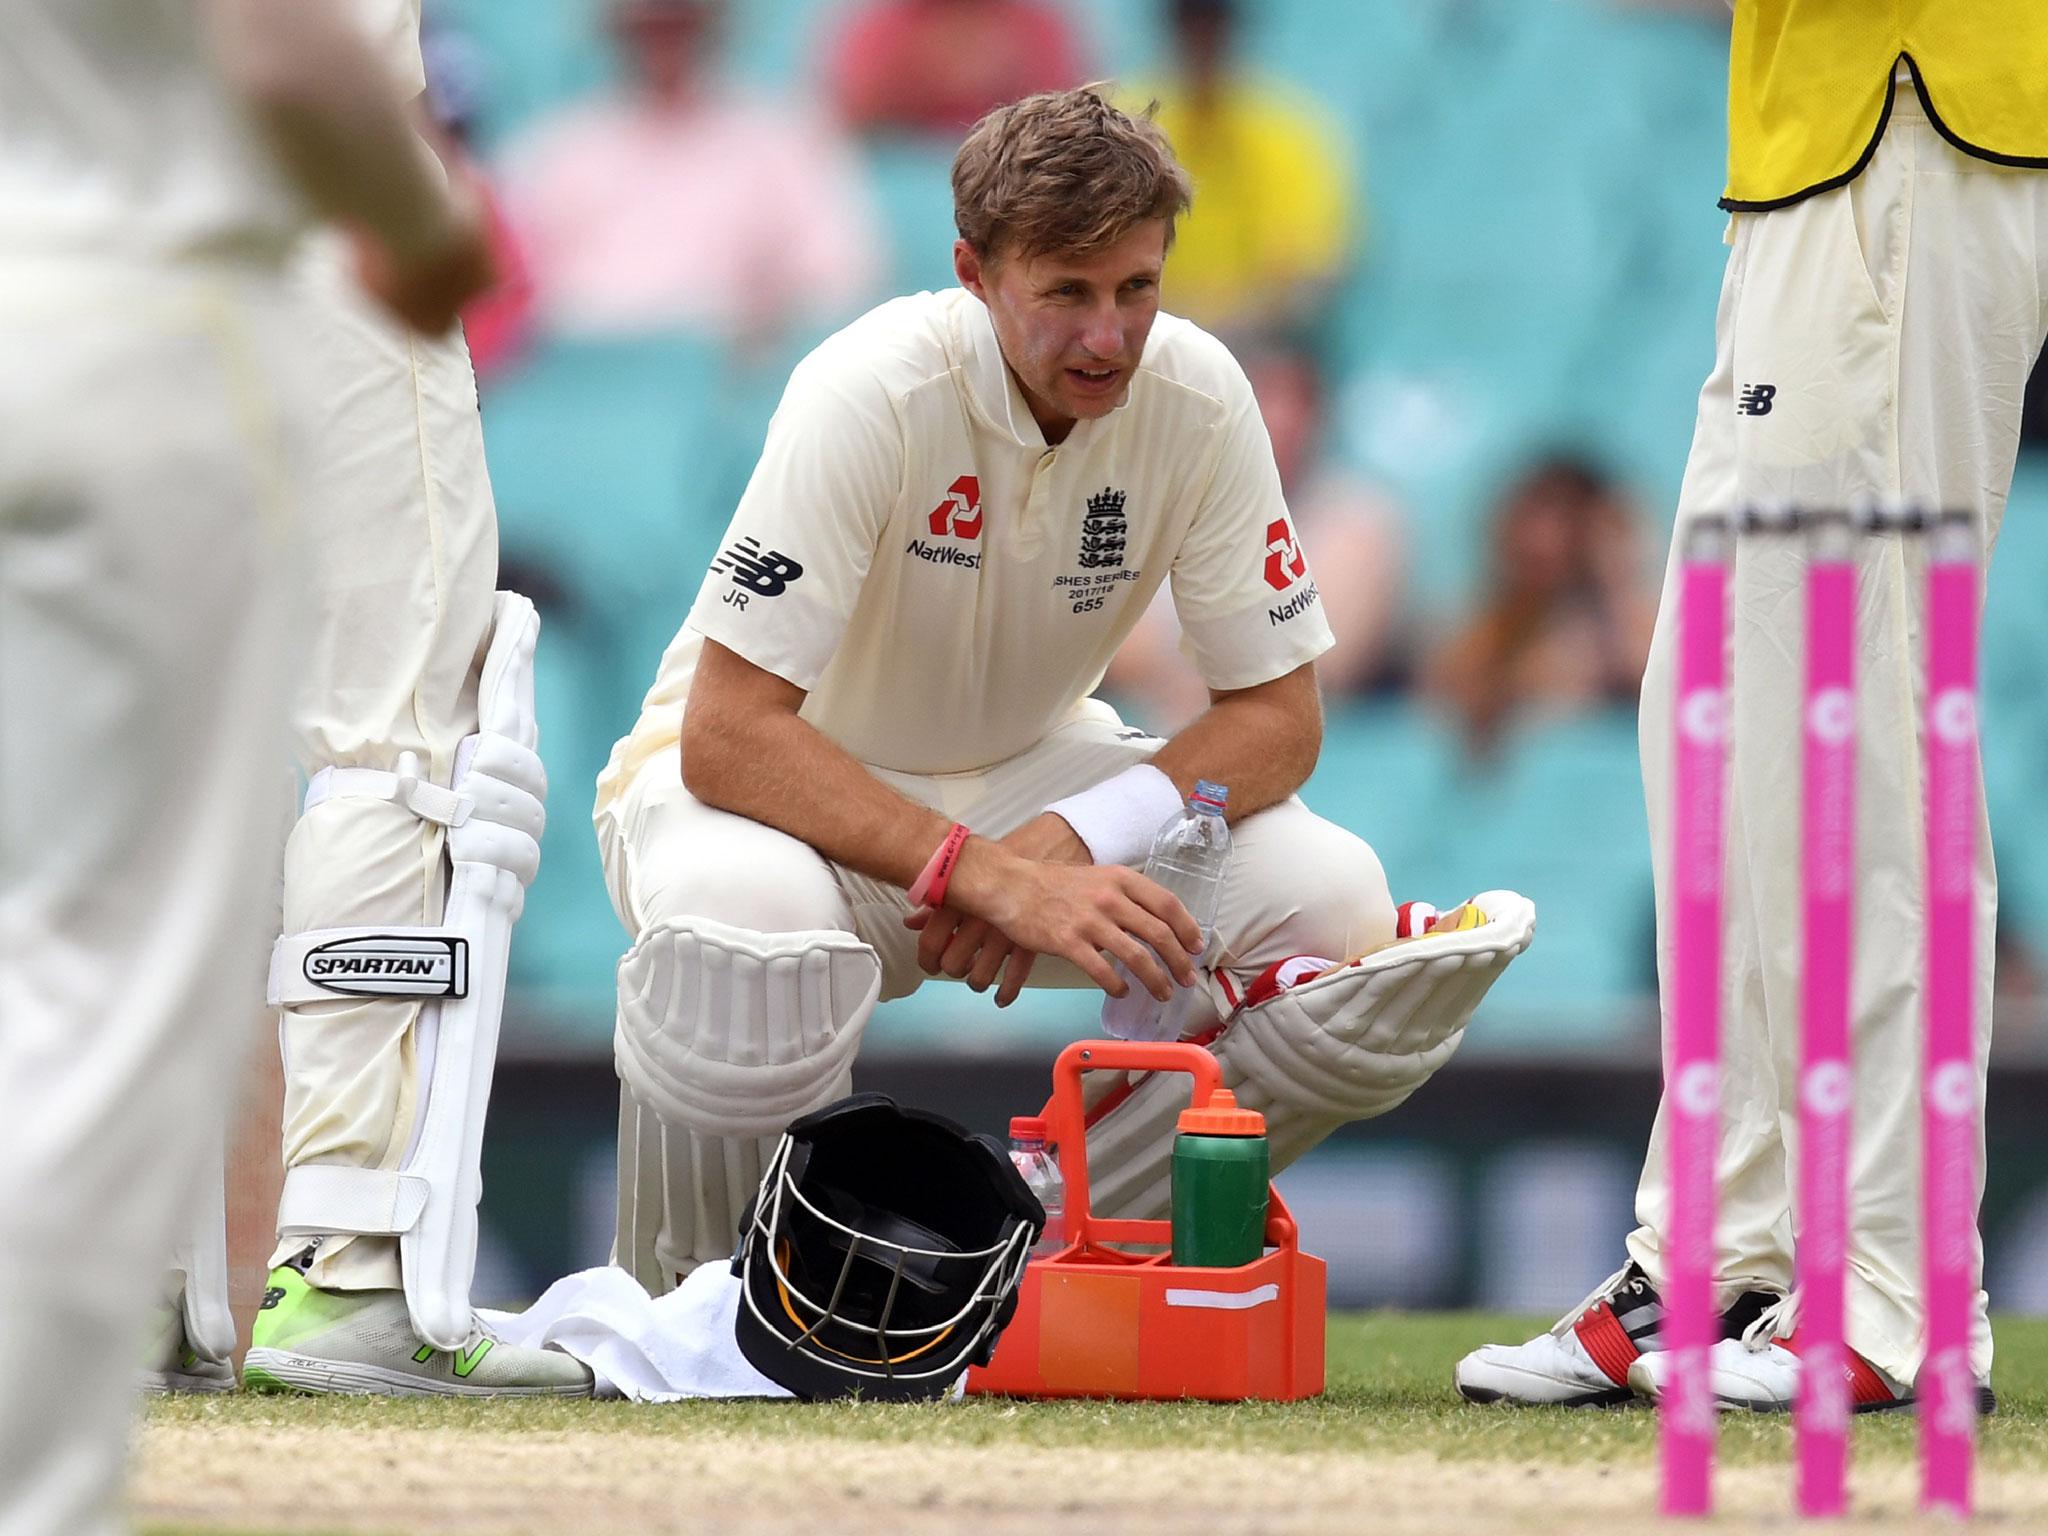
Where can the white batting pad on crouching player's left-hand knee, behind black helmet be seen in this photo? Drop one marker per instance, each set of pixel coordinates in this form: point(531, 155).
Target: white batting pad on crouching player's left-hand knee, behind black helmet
point(724, 1037)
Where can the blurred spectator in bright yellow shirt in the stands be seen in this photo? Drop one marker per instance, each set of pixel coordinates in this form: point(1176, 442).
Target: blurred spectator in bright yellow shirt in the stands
point(1273, 226)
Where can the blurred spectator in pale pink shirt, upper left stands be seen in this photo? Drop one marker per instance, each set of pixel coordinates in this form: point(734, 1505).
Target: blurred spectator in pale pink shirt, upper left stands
point(685, 206)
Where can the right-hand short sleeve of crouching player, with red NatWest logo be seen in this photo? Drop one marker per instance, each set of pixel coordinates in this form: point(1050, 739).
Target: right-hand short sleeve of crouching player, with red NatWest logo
point(1242, 587)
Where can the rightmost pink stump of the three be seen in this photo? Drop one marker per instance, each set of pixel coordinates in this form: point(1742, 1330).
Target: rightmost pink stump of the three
point(1951, 1091)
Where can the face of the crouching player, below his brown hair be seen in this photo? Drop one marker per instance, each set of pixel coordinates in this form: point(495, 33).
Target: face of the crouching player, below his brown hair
point(1072, 327)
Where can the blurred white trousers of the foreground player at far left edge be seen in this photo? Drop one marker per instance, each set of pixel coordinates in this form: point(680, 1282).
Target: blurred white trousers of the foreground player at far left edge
point(146, 480)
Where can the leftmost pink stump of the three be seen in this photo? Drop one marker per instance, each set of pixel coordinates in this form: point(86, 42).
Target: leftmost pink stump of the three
point(1693, 1062)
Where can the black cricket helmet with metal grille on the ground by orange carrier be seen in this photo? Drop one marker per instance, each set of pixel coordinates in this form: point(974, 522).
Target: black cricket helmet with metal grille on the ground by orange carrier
point(882, 1254)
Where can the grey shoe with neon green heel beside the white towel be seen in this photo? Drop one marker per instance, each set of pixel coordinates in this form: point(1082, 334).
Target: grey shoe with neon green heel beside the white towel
point(361, 1342)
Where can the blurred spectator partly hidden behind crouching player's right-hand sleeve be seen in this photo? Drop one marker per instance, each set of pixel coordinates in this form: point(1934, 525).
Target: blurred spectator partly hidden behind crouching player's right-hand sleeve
point(1351, 531)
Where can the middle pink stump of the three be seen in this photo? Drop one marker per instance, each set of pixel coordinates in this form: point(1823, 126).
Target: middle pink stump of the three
point(1826, 1082)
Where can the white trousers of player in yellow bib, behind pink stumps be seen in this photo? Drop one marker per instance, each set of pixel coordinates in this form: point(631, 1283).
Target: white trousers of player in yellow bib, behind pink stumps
point(1873, 343)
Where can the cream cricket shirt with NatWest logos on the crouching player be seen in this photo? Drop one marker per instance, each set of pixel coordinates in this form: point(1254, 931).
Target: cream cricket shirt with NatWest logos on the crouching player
point(949, 589)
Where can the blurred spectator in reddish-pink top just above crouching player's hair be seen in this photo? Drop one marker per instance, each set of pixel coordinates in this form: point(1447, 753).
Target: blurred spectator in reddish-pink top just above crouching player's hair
point(939, 67)
